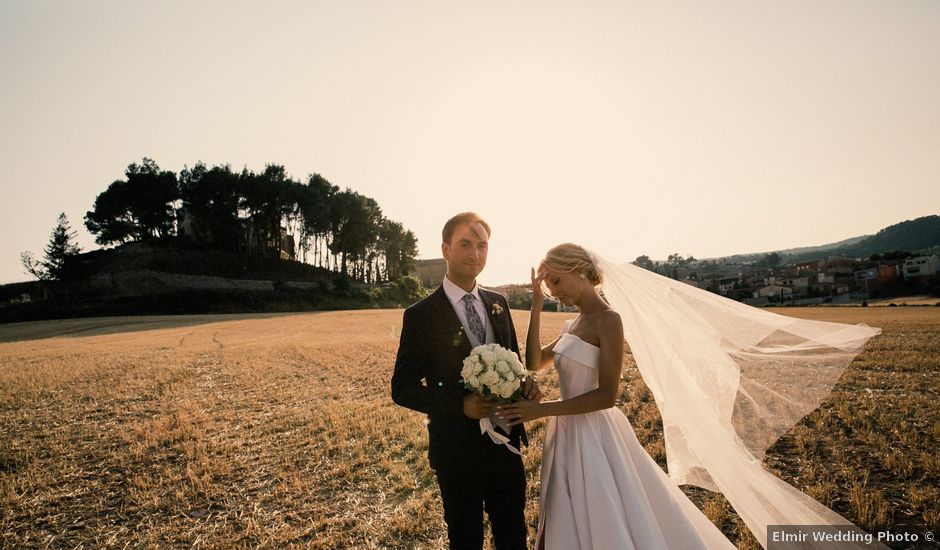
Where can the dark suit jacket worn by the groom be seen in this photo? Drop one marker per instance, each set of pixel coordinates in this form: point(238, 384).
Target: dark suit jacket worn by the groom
point(432, 349)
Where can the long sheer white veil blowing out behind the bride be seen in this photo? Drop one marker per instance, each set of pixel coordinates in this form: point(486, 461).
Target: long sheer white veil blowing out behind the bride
point(729, 380)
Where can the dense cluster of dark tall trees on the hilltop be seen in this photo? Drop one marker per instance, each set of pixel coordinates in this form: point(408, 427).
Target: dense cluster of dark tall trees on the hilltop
point(256, 214)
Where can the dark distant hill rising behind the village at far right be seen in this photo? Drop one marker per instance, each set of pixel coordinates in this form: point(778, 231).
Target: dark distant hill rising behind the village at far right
point(921, 234)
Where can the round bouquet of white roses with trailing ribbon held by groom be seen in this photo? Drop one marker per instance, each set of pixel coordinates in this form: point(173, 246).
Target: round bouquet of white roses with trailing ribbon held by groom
point(494, 371)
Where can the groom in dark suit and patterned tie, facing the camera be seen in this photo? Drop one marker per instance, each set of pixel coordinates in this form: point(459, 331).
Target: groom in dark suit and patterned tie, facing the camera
point(474, 473)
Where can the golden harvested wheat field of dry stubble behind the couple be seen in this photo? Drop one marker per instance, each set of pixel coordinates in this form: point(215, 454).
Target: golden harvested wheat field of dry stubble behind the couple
point(275, 430)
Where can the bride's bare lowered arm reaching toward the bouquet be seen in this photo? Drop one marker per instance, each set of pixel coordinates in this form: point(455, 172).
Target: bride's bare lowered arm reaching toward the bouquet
point(610, 364)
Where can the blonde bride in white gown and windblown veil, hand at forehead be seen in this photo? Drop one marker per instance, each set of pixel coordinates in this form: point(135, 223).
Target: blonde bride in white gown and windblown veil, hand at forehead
point(728, 380)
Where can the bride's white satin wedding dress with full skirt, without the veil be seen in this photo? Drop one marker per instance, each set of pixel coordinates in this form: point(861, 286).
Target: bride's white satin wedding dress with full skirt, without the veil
point(599, 487)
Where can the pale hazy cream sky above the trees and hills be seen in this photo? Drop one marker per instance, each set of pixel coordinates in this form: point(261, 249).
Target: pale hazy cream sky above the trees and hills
point(708, 128)
